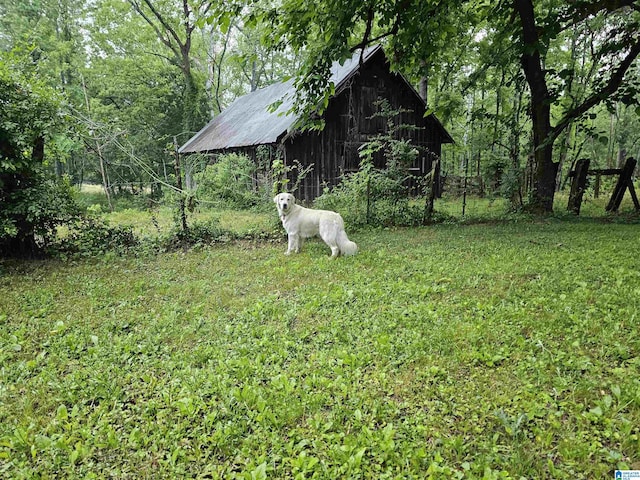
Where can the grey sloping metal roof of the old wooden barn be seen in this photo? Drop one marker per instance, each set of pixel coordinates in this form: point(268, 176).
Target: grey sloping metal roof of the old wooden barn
point(248, 121)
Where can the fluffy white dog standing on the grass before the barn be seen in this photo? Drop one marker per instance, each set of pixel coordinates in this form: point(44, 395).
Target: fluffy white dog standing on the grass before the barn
point(301, 223)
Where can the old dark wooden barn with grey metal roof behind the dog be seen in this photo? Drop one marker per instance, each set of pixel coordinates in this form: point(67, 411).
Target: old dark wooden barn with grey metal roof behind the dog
point(248, 124)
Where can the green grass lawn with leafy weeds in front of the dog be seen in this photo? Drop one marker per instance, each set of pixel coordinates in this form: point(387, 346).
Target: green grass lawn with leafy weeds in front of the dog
point(481, 351)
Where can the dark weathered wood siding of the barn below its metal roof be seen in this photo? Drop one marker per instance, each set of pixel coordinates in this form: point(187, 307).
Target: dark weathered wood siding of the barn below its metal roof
point(348, 124)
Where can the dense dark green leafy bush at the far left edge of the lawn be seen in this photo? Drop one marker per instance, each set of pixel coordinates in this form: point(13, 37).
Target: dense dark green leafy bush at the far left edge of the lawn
point(33, 203)
